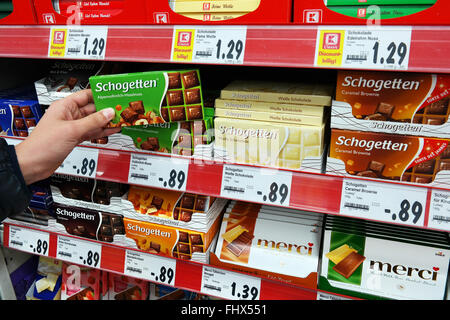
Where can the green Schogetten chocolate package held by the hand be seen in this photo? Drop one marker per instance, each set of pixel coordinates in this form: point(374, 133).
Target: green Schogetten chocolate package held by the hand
point(150, 97)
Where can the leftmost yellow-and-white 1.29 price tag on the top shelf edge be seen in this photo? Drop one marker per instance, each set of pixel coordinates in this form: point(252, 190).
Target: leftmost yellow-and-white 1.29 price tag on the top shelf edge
point(78, 42)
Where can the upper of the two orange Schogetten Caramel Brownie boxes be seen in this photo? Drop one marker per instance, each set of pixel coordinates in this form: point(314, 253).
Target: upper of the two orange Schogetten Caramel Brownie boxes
point(392, 102)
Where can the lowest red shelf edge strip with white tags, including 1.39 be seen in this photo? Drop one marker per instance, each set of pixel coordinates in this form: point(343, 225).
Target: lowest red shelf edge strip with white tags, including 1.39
point(186, 274)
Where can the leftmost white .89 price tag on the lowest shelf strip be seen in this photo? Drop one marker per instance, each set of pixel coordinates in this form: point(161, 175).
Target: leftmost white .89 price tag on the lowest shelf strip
point(29, 240)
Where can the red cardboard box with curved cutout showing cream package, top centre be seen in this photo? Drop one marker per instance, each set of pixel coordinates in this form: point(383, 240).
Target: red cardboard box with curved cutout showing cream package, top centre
point(268, 12)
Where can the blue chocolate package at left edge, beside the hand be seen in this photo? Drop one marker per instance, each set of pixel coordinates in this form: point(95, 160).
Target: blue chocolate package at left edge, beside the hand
point(17, 117)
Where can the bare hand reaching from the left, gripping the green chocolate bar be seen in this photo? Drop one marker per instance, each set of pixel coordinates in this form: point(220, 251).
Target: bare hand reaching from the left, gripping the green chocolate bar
point(65, 124)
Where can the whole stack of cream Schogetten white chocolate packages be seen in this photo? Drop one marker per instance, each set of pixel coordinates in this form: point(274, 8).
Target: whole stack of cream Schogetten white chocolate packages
point(276, 124)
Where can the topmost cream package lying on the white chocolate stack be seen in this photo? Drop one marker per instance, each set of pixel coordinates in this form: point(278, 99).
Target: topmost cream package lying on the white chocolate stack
point(279, 92)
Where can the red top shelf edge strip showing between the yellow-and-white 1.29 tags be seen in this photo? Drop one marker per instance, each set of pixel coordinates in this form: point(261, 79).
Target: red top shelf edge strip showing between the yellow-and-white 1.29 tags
point(275, 46)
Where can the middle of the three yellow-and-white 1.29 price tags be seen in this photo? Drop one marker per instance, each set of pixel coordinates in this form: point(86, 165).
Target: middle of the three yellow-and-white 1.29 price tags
point(211, 44)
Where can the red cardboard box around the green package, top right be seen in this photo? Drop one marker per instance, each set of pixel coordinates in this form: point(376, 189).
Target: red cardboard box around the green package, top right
point(316, 12)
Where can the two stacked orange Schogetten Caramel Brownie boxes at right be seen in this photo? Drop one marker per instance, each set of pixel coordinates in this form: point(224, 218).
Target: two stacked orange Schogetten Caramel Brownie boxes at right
point(391, 126)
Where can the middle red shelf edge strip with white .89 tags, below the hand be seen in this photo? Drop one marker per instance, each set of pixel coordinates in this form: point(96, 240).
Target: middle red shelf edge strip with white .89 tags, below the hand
point(314, 192)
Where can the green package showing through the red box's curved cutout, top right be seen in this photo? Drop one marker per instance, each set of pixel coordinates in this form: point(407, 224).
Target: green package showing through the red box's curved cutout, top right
point(378, 12)
